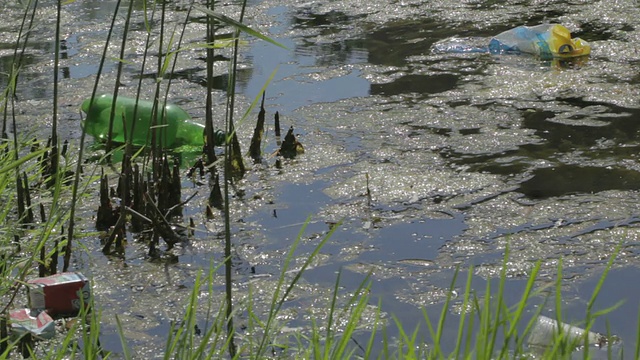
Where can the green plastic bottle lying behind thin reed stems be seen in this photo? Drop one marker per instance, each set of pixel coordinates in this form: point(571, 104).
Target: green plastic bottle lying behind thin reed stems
point(178, 129)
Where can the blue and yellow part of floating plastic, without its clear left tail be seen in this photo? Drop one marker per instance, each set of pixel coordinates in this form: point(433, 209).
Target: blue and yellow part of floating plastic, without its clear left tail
point(547, 41)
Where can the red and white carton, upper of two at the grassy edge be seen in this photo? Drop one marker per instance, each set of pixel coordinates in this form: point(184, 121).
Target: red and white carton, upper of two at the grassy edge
point(60, 294)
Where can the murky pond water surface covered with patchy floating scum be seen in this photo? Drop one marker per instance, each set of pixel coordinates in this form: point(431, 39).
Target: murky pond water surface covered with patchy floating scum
point(462, 154)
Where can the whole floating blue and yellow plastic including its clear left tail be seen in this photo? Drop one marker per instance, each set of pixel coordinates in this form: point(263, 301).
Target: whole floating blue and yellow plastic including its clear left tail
point(546, 41)
